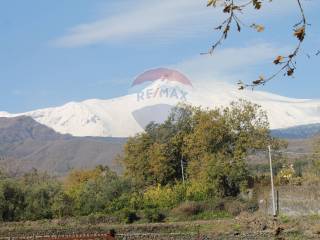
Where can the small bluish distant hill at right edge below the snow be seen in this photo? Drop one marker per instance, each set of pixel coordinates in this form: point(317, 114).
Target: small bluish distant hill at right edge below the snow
point(298, 132)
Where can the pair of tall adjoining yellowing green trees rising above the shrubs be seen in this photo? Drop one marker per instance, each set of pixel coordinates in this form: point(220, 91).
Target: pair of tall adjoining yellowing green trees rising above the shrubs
point(213, 145)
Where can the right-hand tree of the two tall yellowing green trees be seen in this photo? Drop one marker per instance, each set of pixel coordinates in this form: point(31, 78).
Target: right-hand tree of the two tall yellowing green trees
point(221, 140)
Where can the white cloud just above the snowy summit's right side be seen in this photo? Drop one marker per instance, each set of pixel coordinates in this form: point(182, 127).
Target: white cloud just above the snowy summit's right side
point(229, 64)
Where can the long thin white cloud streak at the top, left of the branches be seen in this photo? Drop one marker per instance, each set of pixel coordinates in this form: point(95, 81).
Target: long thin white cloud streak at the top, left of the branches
point(144, 18)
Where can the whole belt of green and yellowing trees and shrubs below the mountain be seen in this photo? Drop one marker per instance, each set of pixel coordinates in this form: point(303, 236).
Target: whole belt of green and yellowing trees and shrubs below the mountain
point(194, 164)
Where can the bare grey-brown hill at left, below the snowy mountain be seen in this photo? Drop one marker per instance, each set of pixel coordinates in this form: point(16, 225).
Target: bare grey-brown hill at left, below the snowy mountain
point(27, 144)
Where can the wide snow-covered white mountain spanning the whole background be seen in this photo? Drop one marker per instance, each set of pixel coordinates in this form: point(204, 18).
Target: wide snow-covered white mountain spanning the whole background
point(127, 115)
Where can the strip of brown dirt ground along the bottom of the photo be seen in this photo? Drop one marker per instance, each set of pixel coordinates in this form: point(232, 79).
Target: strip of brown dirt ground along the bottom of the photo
point(244, 226)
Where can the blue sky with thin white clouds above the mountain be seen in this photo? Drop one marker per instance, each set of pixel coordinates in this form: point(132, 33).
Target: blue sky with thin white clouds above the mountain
point(53, 52)
